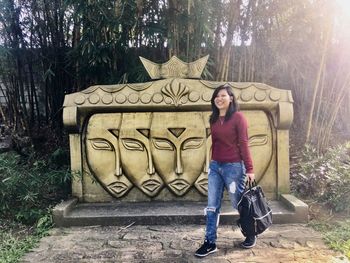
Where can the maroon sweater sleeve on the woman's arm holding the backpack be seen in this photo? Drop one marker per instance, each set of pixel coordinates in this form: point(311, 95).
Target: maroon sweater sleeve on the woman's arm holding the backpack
point(243, 142)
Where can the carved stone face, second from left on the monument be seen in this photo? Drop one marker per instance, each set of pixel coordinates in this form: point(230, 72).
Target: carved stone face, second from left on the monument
point(135, 152)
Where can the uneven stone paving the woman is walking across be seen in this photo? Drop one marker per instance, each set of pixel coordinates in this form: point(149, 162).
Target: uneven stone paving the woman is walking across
point(177, 243)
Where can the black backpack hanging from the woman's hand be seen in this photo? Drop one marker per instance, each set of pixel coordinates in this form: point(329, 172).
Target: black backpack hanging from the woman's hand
point(254, 211)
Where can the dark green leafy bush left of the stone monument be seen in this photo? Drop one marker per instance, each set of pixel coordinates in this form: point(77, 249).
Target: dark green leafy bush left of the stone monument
point(29, 187)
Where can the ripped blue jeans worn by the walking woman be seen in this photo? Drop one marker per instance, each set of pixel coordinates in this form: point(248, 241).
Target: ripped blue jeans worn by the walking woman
point(222, 175)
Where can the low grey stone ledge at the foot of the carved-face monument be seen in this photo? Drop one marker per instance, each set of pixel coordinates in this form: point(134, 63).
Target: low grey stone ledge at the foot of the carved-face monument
point(288, 209)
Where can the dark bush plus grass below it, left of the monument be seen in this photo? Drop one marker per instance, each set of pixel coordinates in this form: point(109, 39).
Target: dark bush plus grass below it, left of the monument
point(29, 187)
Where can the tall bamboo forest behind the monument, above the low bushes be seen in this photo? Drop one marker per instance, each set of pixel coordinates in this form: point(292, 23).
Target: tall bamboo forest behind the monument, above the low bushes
point(52, 48)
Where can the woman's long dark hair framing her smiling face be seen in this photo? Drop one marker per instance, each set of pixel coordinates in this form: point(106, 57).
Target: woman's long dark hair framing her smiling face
point(233, 107)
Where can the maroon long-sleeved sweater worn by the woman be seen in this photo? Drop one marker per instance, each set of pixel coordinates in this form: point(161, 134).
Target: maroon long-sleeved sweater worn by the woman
point(230, 141)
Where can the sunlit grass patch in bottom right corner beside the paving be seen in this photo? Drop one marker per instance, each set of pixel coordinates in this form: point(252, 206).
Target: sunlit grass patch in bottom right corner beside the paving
point(337, 235)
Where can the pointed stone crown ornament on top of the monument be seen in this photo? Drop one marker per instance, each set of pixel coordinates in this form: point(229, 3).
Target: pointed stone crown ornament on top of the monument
point(175, 68)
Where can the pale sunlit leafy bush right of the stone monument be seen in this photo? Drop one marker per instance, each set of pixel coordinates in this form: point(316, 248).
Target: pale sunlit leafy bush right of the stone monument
point(325, 178)
